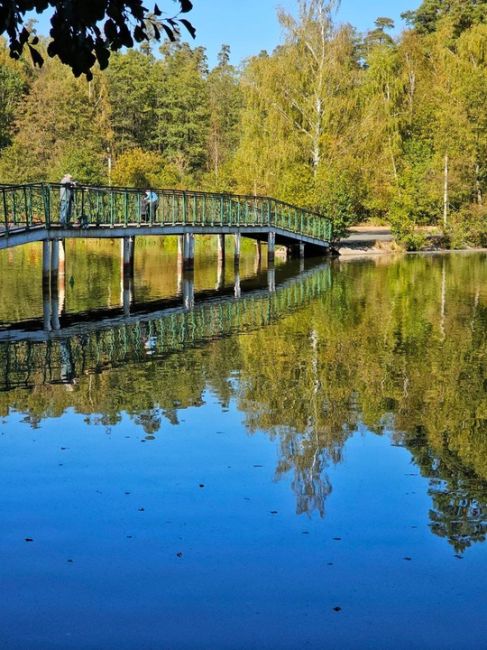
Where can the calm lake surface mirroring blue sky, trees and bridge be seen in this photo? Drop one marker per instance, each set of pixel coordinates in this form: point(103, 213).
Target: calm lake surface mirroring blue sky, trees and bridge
point(304, 467)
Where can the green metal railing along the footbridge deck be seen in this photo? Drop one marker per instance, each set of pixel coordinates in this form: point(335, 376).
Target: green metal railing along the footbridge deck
point(39, 204)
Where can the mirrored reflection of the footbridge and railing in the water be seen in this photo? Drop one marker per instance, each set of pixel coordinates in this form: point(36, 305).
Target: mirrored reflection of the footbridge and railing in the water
point(66, 346)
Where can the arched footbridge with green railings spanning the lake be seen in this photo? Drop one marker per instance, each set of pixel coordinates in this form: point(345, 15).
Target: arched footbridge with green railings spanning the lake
point(33, 212)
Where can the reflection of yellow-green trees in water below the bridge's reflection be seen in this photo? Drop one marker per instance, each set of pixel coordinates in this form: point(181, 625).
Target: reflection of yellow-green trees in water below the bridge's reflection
point(371, 349)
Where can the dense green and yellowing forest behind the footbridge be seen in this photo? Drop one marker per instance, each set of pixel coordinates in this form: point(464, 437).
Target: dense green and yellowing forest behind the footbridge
point(357, 126)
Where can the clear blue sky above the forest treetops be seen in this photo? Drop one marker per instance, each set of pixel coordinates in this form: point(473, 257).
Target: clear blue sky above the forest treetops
point(250, 26)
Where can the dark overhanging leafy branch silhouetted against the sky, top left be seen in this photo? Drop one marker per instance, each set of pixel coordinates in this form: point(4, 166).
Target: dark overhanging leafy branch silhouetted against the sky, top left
point(84, 33)
